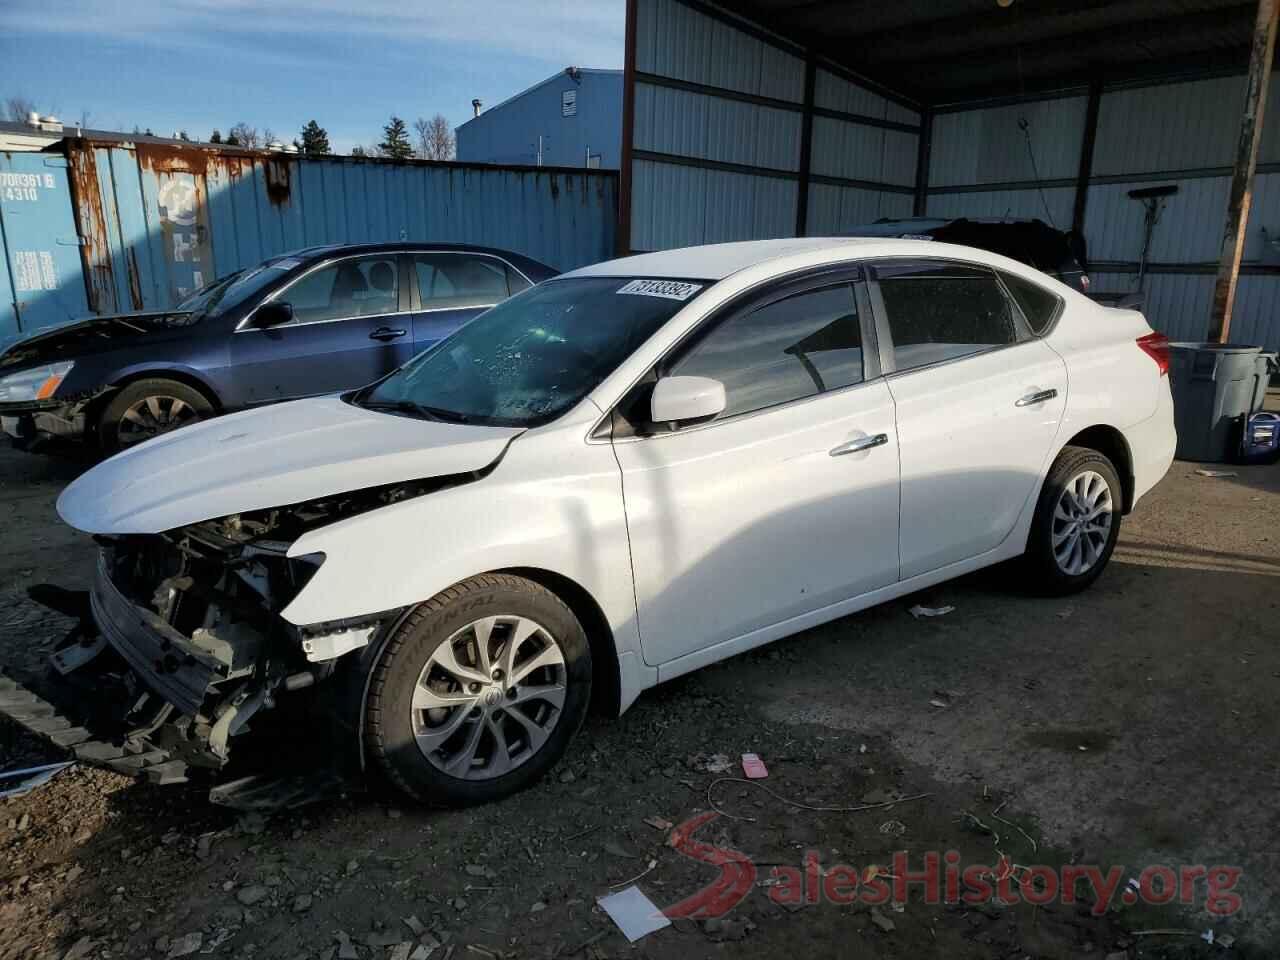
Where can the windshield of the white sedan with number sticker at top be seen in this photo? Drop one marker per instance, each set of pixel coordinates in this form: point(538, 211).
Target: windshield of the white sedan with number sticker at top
point(534, 356)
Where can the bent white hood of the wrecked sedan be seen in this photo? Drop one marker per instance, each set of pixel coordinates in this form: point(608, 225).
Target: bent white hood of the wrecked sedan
point(269, 458)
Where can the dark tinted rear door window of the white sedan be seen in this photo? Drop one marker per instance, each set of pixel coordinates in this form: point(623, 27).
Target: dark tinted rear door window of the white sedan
point(943, 312)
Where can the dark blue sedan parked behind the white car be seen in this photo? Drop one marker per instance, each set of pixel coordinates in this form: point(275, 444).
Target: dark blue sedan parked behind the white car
point(313, 322)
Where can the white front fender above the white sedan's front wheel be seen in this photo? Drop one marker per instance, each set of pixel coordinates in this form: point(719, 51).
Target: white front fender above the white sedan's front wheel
point(545, 508)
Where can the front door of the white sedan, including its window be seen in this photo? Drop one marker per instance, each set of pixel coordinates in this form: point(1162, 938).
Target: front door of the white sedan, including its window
point(784, 504)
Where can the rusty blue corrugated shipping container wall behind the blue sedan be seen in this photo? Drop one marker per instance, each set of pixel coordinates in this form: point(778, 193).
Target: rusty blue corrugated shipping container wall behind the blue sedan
point(159, 221)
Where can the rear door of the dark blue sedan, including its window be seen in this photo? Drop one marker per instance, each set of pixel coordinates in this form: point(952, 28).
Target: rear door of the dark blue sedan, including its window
point(451, 287)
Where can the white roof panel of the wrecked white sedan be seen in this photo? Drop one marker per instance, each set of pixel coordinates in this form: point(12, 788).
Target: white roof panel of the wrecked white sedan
point(715, 262)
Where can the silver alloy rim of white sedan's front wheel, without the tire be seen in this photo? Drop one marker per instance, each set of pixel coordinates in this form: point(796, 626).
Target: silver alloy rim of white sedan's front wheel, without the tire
point(490, 698)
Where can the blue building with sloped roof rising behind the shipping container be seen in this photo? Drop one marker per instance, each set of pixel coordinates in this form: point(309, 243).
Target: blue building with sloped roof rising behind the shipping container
point(509, 132)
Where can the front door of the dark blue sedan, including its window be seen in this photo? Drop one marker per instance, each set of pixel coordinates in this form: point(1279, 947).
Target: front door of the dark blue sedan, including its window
point(351, 326)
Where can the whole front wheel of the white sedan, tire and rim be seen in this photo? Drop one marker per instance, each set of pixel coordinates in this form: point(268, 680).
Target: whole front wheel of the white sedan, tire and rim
point(479, 692)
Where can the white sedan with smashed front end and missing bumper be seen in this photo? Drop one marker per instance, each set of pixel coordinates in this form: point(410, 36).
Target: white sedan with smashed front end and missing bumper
point(620, 476)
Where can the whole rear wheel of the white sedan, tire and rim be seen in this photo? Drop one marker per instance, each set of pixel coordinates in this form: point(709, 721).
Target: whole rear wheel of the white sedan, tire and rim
point(1077, 524)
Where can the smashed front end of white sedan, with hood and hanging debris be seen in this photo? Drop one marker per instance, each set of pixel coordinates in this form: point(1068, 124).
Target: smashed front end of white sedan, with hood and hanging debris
point(181, 648)
